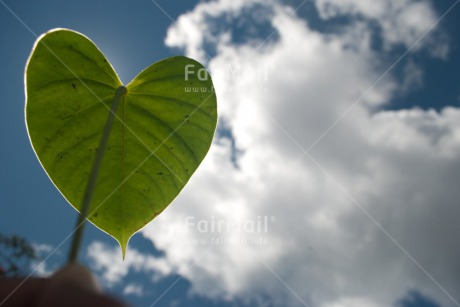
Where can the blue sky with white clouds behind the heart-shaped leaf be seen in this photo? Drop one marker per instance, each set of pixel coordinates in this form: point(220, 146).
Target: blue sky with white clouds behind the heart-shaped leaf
point(340, 124)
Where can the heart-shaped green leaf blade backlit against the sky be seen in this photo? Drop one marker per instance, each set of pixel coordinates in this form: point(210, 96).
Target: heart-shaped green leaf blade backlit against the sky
point(162, 130)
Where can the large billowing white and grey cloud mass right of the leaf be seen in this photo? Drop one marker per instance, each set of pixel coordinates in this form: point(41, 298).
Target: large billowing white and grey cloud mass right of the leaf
point(397, 166)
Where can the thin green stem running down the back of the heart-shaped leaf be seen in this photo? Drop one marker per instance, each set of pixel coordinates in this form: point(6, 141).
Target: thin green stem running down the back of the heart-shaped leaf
point(89, 191)
